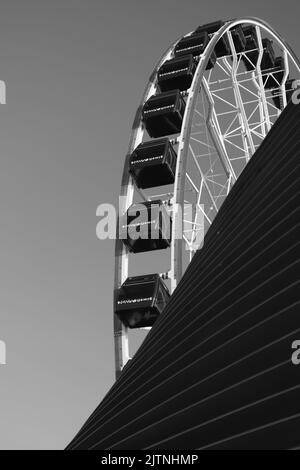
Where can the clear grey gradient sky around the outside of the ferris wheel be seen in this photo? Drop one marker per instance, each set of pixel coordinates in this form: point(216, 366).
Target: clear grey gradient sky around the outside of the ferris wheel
point(75, 71)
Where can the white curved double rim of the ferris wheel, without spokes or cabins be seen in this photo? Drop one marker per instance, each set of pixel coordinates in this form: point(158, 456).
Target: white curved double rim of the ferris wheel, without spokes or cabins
point(127, 185)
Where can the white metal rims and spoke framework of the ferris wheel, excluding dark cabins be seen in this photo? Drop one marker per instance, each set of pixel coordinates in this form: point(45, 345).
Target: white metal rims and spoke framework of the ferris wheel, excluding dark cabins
point(228, 113)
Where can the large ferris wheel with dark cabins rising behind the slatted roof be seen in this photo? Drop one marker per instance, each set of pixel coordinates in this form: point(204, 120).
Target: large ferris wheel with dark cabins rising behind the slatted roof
point(210, 102)
